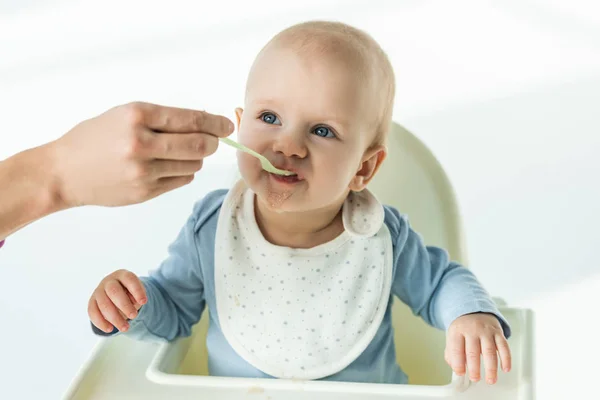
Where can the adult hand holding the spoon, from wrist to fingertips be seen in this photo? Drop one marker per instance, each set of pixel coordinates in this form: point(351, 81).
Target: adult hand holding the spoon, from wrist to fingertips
point(133, 153)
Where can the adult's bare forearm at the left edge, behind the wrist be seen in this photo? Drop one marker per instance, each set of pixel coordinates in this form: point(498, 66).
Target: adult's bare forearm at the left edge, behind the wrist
point(28, 189)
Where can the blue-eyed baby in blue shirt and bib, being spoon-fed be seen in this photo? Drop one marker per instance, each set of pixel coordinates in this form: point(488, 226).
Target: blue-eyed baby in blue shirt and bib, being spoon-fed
point(298, 273)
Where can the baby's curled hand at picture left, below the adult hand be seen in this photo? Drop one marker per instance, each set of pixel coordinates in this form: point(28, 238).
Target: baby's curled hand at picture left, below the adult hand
point(117, 298)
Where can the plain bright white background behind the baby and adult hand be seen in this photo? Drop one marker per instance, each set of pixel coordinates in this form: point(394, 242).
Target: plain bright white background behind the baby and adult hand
point(506, 94)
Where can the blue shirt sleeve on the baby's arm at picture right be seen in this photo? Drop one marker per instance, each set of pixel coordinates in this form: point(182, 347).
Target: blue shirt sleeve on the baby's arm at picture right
point(435, 288)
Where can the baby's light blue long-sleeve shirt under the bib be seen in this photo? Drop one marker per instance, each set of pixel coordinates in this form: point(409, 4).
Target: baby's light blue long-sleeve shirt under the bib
point(183, 287)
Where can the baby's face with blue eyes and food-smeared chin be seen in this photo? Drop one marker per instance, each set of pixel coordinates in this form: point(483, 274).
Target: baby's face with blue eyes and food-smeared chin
point(311, 116)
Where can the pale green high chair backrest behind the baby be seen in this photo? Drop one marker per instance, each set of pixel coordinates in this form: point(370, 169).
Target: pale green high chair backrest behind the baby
point(412, 181)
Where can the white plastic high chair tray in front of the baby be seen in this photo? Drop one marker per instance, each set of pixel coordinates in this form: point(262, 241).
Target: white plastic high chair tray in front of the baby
point(120, 368)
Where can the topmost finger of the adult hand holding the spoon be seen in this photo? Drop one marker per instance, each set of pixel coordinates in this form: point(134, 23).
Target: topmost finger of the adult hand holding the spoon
point(181, 120)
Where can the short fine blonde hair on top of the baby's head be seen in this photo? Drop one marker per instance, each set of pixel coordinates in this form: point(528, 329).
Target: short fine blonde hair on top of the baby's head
point(352, 45)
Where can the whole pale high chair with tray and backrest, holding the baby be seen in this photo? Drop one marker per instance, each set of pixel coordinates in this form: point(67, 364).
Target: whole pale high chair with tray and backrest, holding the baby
point(411, 180)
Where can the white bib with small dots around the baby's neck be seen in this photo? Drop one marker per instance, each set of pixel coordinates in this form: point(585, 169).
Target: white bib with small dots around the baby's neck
point(301, 313)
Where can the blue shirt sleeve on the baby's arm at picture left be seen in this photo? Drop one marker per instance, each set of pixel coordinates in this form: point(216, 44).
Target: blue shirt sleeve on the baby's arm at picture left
point(175, 291)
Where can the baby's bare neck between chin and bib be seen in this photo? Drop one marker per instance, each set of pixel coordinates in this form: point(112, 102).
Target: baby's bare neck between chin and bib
point(300, 230)
